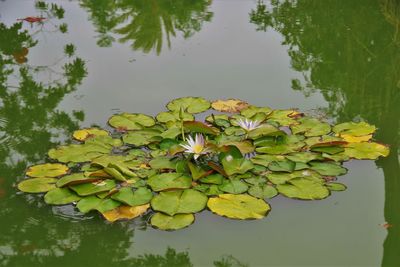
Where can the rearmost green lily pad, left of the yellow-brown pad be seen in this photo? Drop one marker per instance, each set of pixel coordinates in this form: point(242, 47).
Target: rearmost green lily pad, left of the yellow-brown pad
point(189, 104)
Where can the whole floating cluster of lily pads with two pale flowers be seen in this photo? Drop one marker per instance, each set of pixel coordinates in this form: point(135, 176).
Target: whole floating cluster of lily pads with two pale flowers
point(174, 166)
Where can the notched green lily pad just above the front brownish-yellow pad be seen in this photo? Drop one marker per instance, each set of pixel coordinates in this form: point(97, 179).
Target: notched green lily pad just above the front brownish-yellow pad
point(133, 198)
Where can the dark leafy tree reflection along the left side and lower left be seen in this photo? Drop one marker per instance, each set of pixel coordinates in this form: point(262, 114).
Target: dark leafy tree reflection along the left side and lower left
point(31, 233)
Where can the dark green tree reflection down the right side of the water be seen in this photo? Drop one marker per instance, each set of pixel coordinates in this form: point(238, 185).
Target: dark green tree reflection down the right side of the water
point(349, 52)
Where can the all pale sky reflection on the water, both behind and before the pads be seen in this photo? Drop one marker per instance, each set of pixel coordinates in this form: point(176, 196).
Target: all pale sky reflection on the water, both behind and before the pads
point(227, 58)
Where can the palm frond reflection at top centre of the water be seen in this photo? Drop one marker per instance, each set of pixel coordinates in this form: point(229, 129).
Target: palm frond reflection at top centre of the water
point(146, 24)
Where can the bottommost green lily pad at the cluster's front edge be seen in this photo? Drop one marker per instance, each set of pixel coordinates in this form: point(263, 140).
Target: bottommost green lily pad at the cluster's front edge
point(165, 222)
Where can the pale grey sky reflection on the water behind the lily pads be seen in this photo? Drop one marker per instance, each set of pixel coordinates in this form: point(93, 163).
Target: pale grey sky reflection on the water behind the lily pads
point(227, 58)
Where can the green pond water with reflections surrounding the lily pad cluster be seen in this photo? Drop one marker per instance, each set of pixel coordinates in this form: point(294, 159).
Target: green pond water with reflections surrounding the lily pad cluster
point(339, 58)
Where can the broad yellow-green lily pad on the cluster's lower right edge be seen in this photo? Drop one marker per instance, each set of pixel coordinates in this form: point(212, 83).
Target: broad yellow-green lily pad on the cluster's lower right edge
point(305, 189)
